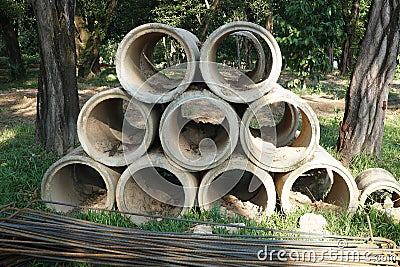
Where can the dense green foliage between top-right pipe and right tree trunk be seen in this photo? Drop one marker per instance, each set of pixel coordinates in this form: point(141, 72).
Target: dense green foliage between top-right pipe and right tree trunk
point(305, 30)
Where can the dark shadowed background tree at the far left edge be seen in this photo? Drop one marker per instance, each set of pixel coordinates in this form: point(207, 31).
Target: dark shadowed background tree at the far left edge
point(9, 14)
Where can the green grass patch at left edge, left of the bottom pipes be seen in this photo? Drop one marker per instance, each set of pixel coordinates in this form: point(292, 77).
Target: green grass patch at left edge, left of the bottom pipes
point(23, 162)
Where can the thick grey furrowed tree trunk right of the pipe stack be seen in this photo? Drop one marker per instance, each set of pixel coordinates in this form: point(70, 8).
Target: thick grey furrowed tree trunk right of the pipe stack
point(366, 99)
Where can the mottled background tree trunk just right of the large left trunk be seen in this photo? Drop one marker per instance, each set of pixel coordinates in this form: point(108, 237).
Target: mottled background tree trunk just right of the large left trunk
point(89, 39)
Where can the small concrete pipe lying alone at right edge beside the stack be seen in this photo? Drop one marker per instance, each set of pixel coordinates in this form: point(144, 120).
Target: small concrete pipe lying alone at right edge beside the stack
point(375, 184)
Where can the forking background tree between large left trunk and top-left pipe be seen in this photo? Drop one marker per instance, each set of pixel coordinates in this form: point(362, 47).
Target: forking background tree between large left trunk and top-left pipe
point(92, 19)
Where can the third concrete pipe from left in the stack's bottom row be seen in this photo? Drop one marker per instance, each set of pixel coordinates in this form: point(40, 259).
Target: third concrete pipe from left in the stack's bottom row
point(240, 178)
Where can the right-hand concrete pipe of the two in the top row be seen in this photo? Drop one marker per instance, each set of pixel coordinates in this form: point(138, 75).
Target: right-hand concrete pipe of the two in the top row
point(233, 84)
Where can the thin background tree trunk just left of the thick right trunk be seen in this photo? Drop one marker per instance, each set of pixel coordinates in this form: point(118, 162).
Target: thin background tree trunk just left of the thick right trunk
point(350, 28)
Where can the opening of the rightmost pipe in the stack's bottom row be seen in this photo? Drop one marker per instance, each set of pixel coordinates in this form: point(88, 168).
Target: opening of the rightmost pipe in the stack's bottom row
point(320, 188)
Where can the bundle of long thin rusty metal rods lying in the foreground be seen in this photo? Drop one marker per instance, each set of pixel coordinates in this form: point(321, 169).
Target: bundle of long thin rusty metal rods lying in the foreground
point(48, 237)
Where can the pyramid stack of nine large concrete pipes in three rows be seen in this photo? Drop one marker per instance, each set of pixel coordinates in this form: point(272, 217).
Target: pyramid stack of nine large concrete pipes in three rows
point(190, 135)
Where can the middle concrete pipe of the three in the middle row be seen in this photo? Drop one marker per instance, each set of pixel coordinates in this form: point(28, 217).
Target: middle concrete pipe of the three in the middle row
point(199, 131)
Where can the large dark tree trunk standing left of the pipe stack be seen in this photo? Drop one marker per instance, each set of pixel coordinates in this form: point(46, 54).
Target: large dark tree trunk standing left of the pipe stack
point(57, 99)
